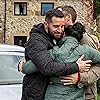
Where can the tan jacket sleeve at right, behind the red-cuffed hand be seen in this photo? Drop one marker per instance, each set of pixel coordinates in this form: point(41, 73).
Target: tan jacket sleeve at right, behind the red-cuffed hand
point(89, 77)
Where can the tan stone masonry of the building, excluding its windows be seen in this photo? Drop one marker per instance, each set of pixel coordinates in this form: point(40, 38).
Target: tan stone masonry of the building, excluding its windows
point(21, 25)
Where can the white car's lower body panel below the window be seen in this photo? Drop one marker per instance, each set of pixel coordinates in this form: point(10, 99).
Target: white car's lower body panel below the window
point(10, 92)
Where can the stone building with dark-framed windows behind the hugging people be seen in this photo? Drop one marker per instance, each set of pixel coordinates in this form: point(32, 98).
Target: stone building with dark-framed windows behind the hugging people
point(18, 16)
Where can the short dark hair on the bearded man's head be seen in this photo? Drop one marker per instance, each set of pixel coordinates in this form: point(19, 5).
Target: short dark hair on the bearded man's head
point(53, 12)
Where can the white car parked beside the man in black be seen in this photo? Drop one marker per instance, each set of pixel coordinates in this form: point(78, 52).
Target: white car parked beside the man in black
point(10, 77)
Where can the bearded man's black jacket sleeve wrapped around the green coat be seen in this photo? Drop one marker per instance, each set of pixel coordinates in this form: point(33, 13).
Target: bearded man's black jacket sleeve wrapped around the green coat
point(36, 50)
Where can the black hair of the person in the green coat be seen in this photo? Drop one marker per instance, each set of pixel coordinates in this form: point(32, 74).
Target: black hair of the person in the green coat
point(77, 30)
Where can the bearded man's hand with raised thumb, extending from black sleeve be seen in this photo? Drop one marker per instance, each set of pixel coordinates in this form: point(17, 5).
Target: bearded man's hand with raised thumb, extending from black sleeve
point(83, 65)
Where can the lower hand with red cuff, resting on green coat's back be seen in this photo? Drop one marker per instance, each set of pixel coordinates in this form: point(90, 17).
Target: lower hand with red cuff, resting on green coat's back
point(70, 79)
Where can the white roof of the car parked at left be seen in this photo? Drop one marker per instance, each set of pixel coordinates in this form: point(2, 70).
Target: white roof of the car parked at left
point(13, 48)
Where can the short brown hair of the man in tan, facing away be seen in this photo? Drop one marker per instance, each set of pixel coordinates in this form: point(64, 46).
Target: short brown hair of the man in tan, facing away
point(68, 10)
